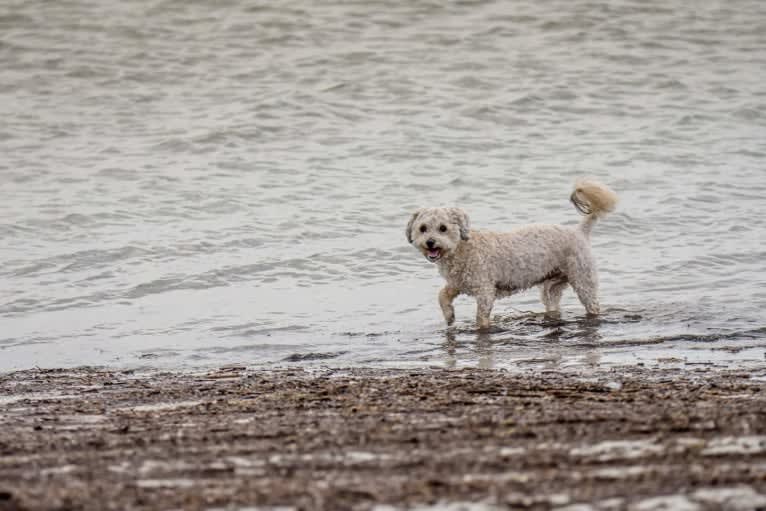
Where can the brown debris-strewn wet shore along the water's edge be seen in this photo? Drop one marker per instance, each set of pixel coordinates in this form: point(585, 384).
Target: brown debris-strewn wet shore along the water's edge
point(627, 438)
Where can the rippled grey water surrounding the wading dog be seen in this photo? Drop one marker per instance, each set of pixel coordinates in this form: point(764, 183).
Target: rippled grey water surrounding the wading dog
point(203, 183)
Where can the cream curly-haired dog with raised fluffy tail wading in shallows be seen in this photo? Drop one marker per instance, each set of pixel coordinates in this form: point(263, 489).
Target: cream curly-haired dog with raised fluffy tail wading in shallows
point(490, 265)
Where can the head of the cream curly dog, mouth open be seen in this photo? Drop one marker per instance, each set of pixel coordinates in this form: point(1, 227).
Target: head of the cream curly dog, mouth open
point(436, 232)
